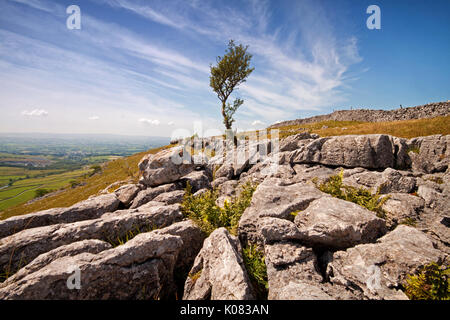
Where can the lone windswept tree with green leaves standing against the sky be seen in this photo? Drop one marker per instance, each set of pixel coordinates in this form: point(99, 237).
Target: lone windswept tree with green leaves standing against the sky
point(231, 70)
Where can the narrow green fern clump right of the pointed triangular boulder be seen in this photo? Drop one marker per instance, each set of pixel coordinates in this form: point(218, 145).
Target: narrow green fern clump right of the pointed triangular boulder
point(257, 270)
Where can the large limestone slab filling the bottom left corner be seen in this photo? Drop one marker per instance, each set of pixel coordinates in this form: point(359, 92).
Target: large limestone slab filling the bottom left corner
point(142, 268)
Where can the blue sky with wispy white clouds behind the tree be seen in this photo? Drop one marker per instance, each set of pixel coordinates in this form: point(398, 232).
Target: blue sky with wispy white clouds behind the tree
point(140, 67)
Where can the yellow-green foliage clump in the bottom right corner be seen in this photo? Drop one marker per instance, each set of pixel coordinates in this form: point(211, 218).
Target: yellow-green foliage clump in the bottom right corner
point(430, 283)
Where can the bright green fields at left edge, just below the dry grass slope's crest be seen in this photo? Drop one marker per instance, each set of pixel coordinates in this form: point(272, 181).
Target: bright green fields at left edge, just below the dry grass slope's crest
point(23, 190)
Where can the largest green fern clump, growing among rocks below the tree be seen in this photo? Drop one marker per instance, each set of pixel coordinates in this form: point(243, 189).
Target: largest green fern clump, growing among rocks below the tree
point(204, 211)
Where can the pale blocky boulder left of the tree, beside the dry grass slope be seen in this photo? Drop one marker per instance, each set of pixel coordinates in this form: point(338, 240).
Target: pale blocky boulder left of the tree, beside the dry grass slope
point(165, 167)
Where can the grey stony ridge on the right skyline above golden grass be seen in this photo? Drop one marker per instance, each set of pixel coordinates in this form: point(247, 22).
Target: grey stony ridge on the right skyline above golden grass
point(430, 110)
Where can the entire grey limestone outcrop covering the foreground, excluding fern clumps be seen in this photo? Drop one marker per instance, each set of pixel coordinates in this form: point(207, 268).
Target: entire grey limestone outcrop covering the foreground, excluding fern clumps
point(135, 243)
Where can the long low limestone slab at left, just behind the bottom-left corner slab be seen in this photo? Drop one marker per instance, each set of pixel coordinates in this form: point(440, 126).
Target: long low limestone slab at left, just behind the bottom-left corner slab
point(19, 249)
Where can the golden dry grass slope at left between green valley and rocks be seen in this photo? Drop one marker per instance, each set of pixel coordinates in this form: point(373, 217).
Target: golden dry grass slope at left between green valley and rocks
point(112, 171)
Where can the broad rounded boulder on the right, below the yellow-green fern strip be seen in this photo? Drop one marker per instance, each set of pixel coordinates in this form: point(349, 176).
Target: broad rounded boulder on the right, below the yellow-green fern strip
point(335, 223)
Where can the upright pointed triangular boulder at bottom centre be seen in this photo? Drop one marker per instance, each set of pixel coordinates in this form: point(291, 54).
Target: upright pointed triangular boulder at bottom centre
point(219, 272)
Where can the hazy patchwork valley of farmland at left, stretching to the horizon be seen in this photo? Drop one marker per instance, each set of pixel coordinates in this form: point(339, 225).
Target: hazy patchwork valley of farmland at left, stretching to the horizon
point(31, 166)
